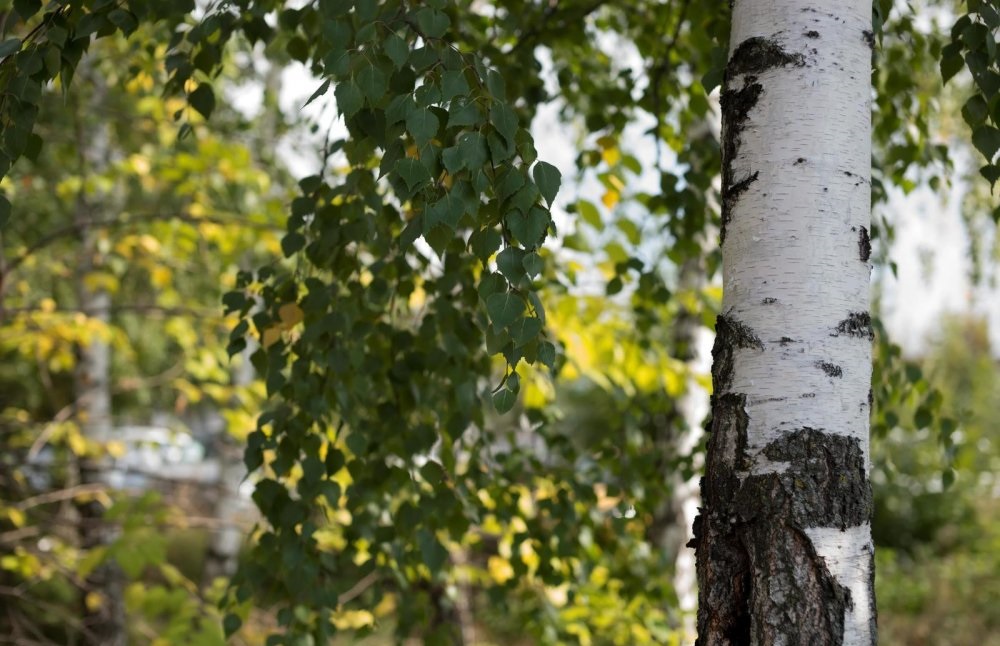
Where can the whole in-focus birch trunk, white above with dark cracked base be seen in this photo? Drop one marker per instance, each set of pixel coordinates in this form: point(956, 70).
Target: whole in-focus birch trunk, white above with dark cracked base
point(783, 541)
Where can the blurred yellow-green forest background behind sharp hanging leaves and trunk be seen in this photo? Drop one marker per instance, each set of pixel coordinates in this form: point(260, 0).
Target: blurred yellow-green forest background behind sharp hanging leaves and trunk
point(135, 218)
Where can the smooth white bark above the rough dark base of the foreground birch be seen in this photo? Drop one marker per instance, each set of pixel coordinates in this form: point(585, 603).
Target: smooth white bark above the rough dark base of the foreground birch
point(794, 237)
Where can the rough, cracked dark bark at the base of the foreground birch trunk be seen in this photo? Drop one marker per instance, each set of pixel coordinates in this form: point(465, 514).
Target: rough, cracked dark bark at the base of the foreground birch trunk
point(754, 559)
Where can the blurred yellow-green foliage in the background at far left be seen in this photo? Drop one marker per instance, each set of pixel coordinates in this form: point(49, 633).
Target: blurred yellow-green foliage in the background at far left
point(172, 221)
